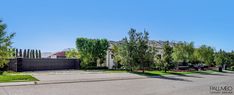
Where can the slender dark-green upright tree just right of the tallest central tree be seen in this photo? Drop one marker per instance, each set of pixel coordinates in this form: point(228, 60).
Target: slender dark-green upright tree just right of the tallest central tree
point(167, 55)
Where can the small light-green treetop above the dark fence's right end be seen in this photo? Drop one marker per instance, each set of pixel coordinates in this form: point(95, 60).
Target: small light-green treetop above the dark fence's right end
point(72, 53)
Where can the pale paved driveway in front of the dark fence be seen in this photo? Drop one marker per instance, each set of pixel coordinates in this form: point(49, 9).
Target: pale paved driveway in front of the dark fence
point(73, 75)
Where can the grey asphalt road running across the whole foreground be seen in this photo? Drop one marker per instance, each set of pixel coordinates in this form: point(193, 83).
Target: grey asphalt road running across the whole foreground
point(169, 85)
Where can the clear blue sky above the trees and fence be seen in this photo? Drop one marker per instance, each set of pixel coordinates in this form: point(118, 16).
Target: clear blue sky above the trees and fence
point(53, 25)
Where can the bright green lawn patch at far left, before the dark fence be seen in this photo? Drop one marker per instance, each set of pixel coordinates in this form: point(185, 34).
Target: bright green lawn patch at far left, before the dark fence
point(16, 77)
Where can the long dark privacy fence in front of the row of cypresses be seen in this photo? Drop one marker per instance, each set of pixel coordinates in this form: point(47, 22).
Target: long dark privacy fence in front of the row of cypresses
point(25, 64)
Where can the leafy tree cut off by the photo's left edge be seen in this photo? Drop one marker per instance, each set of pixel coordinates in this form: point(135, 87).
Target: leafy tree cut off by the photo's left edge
point(5, 45)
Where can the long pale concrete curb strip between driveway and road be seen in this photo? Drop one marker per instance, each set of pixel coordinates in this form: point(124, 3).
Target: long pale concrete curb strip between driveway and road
point(67, 81)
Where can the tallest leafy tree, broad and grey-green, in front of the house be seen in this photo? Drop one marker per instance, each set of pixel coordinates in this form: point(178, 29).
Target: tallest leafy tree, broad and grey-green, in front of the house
point(134, 51)
